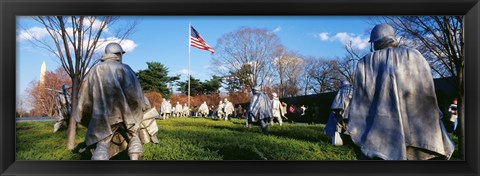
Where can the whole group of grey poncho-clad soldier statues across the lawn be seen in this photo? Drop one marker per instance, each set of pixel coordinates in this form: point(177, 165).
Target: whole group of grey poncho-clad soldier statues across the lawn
point(389, 111)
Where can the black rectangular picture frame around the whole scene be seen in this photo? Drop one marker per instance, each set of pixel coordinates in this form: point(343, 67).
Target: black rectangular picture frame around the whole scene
point(9, 9)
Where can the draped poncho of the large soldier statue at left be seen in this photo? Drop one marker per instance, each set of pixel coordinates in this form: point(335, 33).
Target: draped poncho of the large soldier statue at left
point(110, 95)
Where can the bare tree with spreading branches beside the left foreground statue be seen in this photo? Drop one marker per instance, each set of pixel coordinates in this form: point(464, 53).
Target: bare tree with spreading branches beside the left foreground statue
point(74, 40)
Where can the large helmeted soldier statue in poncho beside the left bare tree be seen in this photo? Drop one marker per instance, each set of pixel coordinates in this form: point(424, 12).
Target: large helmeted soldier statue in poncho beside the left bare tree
point(111, 105)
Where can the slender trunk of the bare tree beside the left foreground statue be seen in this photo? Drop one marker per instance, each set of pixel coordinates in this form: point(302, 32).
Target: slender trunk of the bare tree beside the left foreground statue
point(72, 126)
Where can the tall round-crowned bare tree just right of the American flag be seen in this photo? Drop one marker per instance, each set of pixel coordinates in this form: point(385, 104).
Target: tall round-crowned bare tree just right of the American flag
point(246, 48)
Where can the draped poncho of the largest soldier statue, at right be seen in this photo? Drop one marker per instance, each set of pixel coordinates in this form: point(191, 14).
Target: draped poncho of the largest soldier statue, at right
point(393, 113)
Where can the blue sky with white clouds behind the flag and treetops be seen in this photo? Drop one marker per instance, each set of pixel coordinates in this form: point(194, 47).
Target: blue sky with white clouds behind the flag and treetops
point(164, 39)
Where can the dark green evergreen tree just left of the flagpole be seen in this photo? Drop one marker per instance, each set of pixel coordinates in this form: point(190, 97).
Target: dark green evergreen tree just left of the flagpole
point(155, 78)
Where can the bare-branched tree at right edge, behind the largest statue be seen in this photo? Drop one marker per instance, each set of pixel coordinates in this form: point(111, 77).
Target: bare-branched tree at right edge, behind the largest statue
point(441, 40)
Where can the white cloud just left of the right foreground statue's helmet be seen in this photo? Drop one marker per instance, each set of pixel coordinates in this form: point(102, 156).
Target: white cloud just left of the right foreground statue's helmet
point(357, 41)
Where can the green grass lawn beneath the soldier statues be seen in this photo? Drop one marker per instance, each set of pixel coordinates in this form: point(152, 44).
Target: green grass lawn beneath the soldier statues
point(197, 139)
